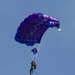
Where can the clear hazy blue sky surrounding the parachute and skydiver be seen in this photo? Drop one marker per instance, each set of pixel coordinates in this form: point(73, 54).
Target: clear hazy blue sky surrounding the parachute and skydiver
point(57, 51)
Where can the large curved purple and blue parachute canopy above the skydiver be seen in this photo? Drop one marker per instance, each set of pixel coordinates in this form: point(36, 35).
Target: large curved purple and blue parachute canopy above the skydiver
point(33, 27)
